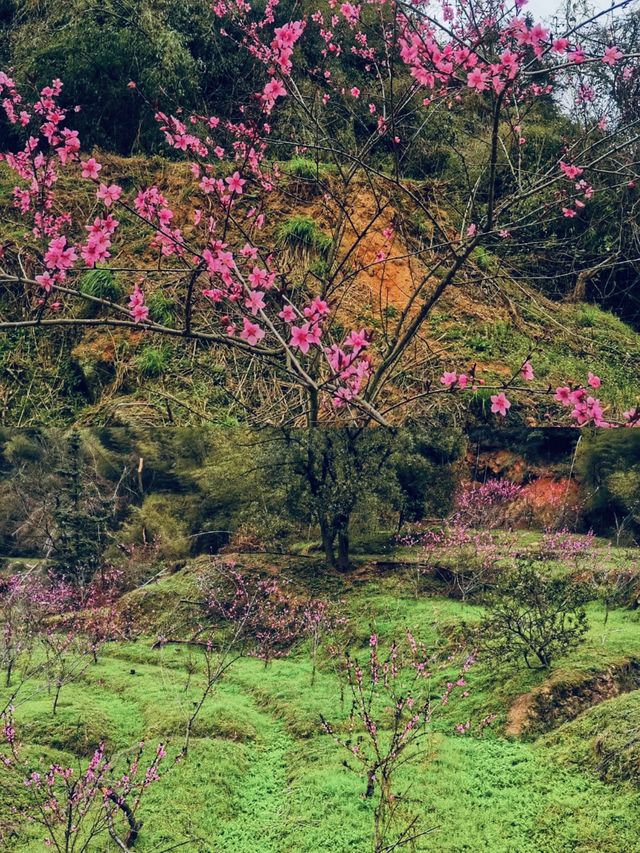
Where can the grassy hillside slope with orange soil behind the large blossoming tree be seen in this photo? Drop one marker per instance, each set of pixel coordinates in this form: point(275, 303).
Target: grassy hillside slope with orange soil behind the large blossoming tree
point(490, 318)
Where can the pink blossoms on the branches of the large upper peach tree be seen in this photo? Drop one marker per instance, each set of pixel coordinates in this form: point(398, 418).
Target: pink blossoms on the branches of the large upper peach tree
point(234, 278)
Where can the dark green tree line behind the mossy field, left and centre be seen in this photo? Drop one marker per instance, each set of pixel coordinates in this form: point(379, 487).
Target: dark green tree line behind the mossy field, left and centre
point(80, 498)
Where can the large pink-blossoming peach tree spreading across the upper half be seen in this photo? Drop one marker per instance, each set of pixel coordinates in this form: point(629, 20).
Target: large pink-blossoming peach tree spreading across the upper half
point(388, 71)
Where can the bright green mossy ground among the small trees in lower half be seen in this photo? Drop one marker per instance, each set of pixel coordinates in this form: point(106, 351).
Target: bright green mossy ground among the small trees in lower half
point(262, 777)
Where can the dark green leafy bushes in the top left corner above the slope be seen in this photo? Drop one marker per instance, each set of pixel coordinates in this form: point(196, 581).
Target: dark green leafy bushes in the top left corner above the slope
point(169, 49)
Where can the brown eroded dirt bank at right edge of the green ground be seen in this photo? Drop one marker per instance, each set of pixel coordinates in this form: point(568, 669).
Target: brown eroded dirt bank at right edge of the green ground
point(567, 694)
